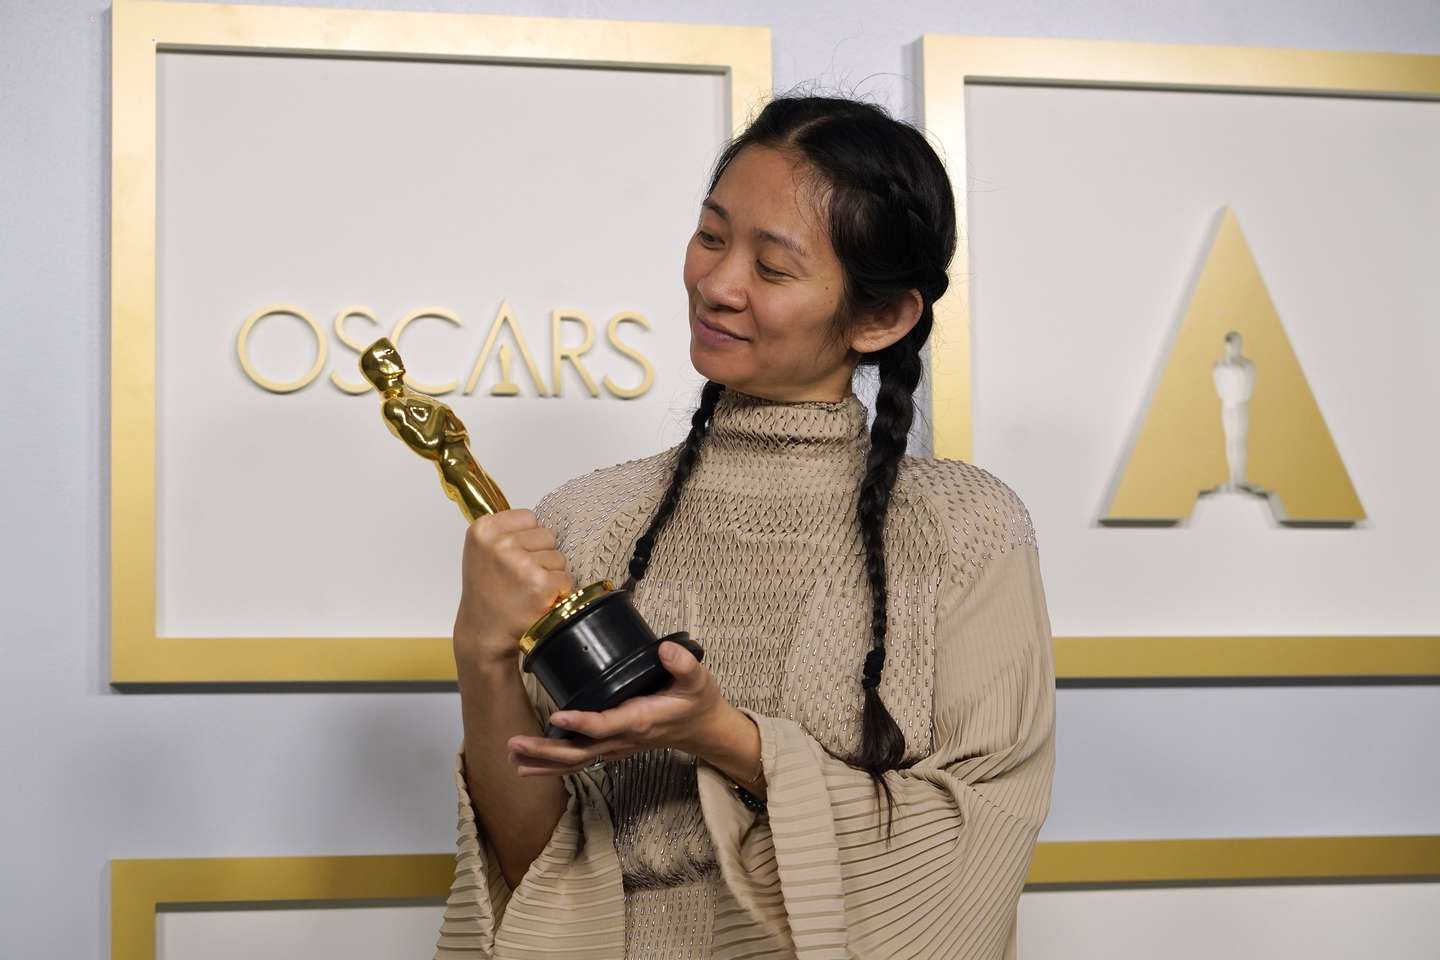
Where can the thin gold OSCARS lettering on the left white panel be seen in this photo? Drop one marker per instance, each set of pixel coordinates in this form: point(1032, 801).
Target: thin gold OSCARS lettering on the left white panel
point(505, 355)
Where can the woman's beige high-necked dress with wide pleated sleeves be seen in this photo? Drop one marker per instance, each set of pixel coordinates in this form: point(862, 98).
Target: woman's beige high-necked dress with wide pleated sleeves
point(656, 857)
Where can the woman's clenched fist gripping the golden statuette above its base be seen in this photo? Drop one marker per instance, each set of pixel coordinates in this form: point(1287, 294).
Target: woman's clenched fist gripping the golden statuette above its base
point(510, 575)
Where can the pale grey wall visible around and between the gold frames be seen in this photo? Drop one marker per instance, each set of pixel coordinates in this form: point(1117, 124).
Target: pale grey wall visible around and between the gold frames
point(93, 775)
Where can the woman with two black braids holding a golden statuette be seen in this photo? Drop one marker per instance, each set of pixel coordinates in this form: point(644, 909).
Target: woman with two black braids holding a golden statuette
point(863, 761)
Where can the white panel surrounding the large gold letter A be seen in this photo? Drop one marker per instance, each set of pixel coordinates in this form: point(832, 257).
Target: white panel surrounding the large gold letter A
point(1089, 217)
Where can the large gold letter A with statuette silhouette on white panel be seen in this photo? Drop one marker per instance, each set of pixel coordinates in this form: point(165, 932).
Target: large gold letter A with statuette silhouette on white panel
point(1232, 414)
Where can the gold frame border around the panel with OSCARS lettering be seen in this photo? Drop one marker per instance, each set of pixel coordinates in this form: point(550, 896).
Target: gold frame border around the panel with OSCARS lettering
point(140, 31)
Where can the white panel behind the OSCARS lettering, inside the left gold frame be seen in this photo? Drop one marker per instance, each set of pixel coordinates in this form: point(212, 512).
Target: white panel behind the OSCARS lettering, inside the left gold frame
point(400, 186)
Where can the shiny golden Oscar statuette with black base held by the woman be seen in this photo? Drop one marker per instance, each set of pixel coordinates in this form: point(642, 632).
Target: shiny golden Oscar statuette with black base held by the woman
point(593, 650)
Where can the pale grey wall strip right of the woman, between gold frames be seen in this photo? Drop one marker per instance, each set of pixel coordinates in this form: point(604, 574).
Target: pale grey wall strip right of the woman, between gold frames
point(1202, 762)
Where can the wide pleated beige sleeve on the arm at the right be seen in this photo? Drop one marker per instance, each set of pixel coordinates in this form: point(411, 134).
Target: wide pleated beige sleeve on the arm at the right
point(816, 877)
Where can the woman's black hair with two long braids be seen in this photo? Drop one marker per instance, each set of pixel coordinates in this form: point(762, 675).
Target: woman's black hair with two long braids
point(892, 224)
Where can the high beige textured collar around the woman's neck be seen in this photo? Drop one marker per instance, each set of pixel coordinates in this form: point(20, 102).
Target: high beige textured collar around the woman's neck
point(816, 438)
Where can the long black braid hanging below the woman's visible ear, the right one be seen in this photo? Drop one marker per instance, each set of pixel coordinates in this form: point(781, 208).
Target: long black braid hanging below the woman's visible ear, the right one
point(882, 743)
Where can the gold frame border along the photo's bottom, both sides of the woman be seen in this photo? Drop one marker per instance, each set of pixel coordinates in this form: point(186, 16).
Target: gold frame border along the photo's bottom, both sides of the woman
point(139, 889)
